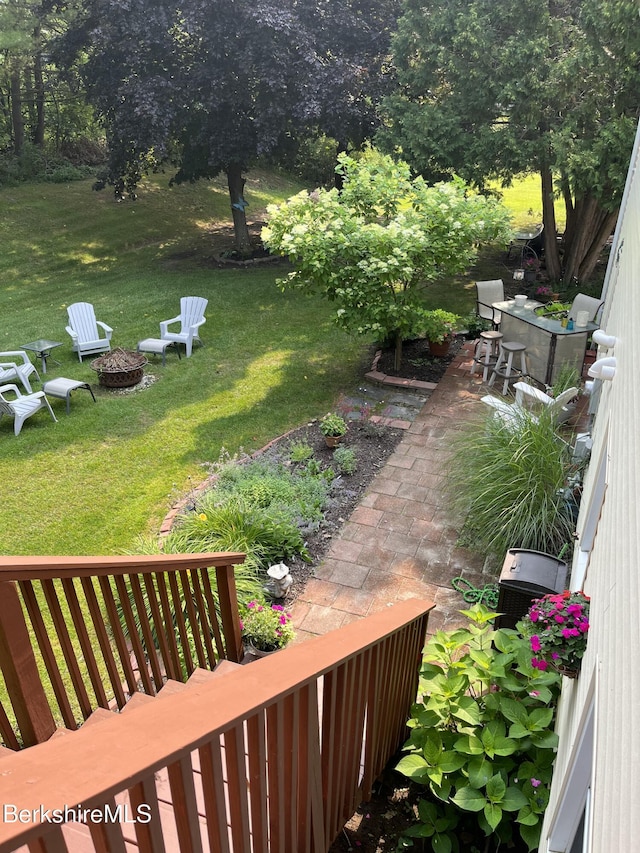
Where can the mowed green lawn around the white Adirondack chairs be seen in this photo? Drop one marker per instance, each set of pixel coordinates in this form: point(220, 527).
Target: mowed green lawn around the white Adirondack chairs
point(108, 472)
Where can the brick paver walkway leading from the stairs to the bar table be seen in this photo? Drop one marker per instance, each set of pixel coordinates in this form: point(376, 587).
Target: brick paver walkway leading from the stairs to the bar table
point(400, 542)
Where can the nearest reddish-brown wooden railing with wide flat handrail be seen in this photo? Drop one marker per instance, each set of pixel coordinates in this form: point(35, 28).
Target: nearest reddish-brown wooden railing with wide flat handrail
point(274, 756)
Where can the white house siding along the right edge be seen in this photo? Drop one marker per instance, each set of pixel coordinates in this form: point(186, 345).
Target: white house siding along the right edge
point(611, 668)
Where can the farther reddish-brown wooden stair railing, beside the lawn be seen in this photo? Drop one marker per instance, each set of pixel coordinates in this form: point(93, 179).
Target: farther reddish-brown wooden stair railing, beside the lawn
point(91, 631)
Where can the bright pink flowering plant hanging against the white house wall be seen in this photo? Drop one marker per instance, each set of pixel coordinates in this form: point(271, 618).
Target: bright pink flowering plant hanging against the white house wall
point(557, 628)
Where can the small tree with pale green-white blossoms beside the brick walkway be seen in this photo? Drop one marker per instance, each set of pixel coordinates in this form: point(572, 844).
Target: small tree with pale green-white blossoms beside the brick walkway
point(372, 247)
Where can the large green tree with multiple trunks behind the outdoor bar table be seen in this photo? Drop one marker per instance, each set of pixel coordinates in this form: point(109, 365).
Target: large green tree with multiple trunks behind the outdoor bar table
point(491, 89)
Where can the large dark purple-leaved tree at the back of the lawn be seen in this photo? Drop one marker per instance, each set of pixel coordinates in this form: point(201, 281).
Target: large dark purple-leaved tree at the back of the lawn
point(213, 85)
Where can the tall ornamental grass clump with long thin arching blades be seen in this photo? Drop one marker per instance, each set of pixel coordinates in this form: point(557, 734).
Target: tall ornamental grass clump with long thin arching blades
point(508, 481)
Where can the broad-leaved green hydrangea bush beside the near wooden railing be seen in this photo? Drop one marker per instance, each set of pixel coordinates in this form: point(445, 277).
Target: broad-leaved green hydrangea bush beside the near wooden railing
point(482, 740)
